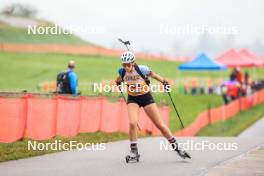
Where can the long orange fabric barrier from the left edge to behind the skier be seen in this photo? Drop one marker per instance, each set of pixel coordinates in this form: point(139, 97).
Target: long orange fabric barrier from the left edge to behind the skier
point(42, 118)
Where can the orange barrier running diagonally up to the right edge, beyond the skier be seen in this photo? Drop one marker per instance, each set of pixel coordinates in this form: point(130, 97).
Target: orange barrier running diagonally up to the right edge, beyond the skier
point(221, 113)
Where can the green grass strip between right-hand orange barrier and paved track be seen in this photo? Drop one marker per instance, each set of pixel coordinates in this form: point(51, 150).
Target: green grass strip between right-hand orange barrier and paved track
point(235, 125)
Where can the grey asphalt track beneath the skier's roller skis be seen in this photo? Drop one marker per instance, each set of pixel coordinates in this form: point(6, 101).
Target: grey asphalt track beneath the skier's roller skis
point(110, 162)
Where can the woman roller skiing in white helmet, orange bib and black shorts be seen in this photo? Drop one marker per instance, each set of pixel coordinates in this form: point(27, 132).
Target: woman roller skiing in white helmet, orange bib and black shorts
point(136, 78)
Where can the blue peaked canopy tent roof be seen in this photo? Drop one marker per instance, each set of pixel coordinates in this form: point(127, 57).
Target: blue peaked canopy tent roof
point(202, 62)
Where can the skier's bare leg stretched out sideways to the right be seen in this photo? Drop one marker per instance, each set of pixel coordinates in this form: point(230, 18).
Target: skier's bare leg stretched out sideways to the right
point(153, 113)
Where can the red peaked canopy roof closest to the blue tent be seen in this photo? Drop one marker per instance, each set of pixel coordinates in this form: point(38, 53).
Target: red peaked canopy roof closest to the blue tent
point(233, 59)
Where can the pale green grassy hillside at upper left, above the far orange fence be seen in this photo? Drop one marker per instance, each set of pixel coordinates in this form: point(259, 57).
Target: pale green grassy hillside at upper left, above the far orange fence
point(10, 34)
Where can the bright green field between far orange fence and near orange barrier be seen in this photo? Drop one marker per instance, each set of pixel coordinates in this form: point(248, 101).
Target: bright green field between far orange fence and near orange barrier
point(26, 71)
